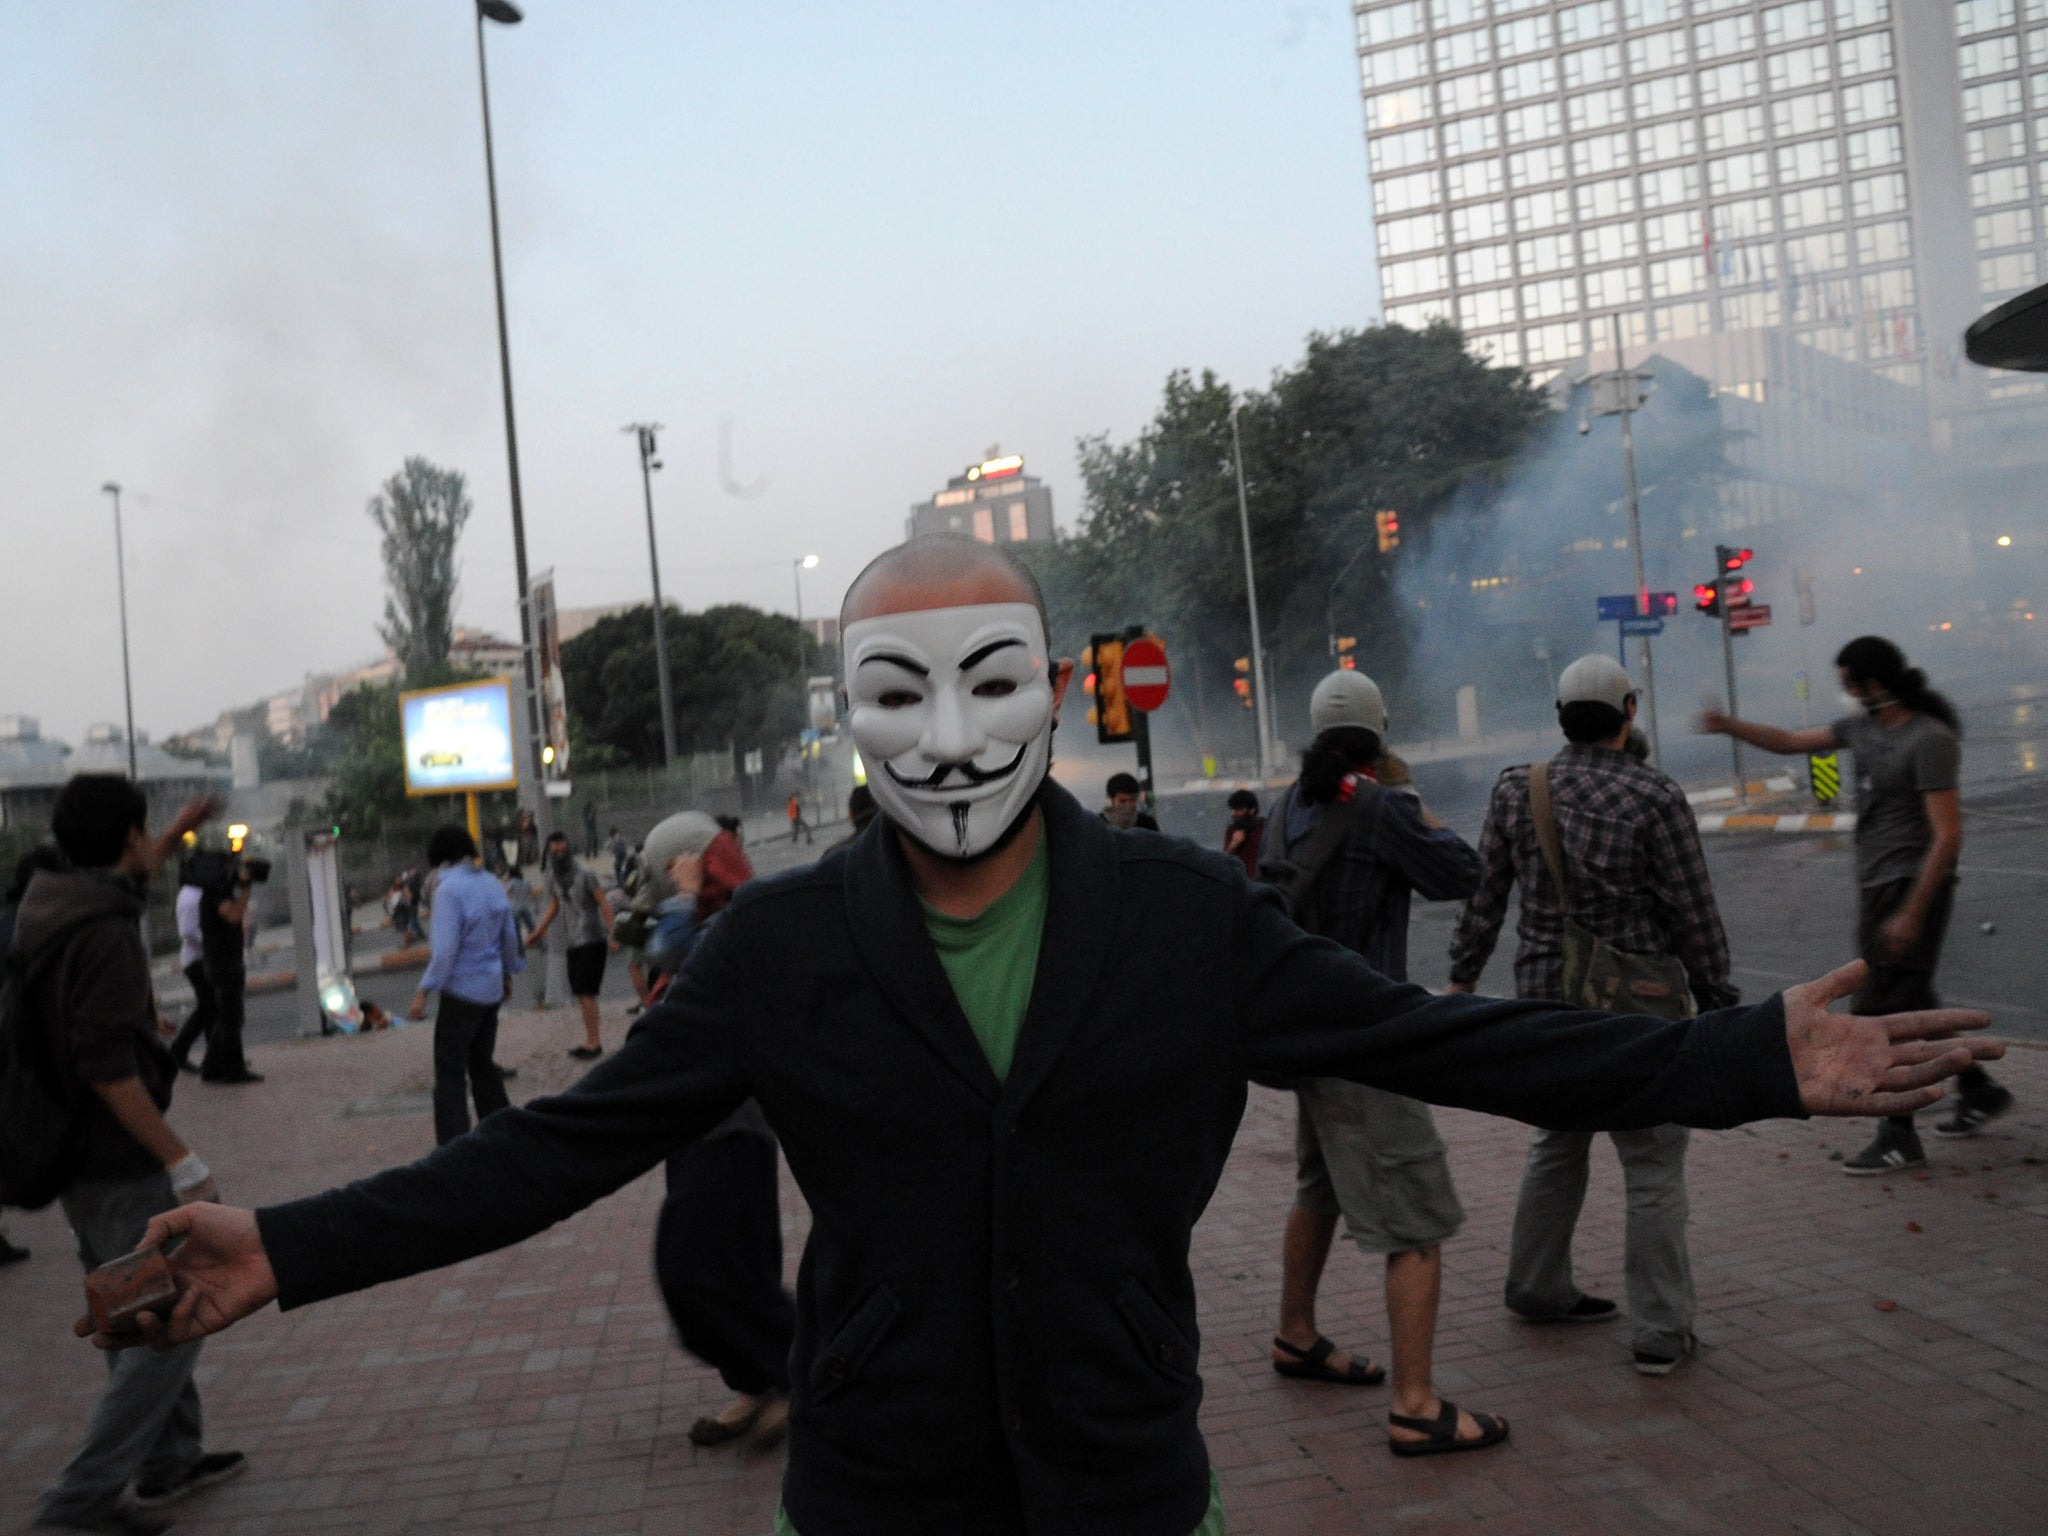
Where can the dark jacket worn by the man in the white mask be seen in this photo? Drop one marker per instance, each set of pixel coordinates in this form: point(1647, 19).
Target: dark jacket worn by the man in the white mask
point(996, 1318)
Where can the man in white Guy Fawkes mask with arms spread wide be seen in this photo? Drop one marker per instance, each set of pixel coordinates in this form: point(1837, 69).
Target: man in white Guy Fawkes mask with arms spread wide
point(1005, 1154)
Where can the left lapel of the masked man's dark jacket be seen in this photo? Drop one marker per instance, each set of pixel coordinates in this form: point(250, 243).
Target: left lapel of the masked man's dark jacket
point(890, 933)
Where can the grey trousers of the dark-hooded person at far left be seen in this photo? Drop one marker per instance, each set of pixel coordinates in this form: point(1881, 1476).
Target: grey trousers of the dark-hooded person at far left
point(146, 1424)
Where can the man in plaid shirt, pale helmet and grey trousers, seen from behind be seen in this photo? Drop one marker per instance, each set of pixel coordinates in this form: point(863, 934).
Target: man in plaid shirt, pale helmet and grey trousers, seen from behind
point(1637, 880)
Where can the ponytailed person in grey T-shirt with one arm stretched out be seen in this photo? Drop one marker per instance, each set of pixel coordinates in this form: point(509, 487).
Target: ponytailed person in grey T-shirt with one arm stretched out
point(1908, 746)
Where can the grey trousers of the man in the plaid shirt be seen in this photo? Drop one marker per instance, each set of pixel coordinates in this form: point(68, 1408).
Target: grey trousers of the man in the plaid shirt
point(1656, 1263)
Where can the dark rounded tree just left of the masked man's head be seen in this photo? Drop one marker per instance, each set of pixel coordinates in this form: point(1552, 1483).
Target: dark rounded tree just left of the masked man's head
point(732, 669)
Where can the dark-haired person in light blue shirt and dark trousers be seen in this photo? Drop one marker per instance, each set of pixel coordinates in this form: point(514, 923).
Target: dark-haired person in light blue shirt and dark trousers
point(476, 949)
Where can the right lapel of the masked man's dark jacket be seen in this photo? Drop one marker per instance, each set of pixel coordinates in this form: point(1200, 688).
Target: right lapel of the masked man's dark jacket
point(1080, 927)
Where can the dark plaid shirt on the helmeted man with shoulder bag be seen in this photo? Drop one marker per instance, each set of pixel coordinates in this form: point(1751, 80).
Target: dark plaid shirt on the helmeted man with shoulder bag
point(1633, 861)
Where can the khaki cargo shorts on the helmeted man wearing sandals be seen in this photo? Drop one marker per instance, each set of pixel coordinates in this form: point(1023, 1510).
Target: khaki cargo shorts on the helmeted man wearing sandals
point(1375, 1160)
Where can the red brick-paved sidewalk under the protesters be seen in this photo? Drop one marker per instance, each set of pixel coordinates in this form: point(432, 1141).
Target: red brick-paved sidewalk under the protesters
point(540, 1390)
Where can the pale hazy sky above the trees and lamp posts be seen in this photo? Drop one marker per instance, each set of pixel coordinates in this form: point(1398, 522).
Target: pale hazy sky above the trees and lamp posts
point(245, 271)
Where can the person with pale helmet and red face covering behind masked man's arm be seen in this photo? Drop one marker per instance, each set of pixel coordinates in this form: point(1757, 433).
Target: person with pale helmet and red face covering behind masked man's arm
point(718, 1250)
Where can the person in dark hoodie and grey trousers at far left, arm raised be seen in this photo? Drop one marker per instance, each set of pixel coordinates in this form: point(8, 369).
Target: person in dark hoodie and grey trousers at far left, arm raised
point(79, 939)
